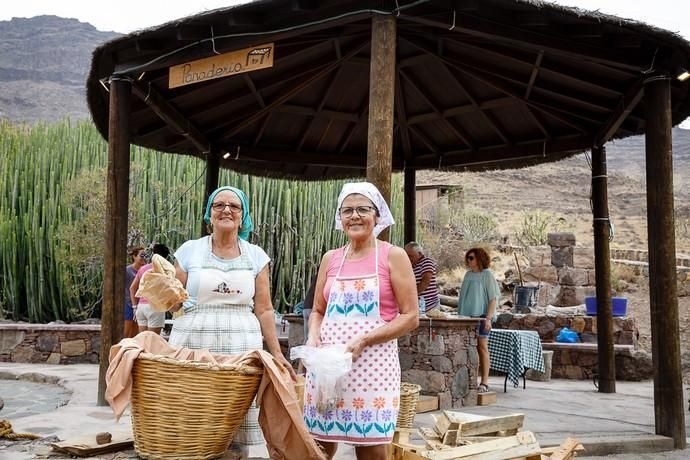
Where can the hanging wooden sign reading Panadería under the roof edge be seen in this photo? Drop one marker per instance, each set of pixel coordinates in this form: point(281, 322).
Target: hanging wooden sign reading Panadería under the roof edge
point(222, 65)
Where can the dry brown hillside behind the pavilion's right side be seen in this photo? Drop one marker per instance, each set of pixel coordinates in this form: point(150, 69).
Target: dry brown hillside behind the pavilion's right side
point(563, 188)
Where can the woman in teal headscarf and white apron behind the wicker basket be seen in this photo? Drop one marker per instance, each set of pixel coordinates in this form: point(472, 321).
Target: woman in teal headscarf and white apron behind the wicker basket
point(229, 308)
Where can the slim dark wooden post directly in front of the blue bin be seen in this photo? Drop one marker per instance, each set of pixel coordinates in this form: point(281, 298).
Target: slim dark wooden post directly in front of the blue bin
point(602, 265)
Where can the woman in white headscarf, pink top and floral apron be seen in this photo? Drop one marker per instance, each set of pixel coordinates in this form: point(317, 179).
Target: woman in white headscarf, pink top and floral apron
point(365, 298)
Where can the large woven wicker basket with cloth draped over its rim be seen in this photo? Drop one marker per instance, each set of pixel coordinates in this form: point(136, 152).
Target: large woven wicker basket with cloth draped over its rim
point(187, 410)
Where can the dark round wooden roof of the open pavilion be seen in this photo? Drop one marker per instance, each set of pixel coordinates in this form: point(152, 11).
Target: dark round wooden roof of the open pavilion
point(480, 84)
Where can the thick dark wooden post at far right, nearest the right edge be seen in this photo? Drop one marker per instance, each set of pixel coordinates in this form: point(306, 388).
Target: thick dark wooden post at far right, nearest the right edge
point(663, 301)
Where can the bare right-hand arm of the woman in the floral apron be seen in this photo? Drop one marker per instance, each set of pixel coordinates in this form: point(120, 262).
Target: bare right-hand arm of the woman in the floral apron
point(404, 289)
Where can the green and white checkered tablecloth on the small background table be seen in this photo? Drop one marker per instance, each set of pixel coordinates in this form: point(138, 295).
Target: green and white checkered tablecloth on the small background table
point(513, 351)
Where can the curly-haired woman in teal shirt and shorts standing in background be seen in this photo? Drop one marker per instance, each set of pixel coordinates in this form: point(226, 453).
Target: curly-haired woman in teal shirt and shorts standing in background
point(478, 298)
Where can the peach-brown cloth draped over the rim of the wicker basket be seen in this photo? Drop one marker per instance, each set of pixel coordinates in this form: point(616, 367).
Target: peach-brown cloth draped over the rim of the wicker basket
point(286, 434)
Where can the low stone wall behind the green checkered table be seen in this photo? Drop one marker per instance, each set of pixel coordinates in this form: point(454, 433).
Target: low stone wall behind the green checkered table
point(625, 331)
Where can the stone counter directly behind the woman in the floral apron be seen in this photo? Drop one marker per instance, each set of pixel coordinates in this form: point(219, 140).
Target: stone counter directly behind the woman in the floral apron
point(440, 355)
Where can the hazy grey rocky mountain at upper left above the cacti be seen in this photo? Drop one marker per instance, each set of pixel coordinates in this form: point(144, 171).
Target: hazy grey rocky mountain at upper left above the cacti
point(44, 62)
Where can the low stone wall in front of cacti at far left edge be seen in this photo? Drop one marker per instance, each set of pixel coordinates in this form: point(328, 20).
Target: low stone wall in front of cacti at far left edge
point(50, 343)
